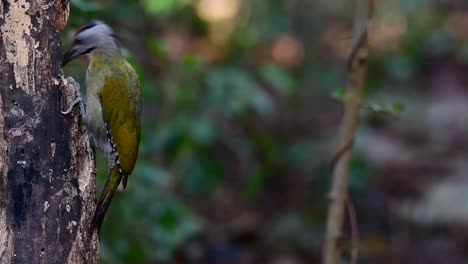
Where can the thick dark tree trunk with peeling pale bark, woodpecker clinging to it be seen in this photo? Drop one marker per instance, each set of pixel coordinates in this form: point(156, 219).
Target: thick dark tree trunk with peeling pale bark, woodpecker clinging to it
point(47, 183)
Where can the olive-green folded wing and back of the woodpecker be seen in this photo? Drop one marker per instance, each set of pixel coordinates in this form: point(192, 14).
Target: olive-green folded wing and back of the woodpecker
point(121, 109)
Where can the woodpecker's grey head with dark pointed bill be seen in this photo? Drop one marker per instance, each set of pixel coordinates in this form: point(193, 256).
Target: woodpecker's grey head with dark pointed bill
point(92, 37)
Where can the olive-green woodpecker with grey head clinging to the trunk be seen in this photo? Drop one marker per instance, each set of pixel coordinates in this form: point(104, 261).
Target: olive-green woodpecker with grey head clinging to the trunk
point(112, 112)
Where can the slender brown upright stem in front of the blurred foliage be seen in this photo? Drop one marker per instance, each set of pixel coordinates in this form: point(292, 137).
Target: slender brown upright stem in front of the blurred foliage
point(357, 66)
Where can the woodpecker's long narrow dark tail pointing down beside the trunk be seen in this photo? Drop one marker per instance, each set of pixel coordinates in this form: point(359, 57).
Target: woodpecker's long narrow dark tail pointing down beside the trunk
point(113, 181)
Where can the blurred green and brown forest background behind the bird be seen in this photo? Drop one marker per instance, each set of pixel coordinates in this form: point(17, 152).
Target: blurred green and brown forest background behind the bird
point(241, 113)
